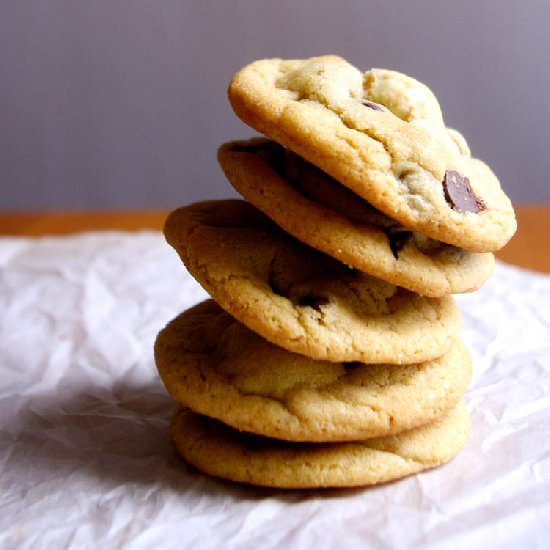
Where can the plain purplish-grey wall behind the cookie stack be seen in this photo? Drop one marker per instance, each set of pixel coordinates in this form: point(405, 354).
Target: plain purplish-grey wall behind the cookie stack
point(121, 104)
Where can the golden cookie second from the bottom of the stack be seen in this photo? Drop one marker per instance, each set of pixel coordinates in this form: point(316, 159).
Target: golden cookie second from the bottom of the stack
point(216, 366)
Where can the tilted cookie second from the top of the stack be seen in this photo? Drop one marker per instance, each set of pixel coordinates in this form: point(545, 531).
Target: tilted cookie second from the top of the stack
point(314, 208)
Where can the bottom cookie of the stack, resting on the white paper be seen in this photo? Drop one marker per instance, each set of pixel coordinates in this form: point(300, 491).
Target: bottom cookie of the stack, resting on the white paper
point(223, 452)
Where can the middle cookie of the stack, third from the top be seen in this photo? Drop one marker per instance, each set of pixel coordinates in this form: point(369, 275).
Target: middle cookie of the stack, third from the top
point(300, 299)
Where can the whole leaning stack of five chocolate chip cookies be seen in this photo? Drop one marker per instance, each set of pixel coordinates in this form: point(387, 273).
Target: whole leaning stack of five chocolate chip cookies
point(330, 355)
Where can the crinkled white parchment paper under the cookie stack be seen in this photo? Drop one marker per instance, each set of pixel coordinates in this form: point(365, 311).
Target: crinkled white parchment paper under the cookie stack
point(85, 457)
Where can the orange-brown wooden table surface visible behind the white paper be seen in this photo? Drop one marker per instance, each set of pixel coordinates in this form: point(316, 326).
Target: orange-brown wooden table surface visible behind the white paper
point(529, 248)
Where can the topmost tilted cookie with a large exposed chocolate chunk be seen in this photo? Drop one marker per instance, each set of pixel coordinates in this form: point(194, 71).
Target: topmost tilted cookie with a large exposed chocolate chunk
point(382, 135)
